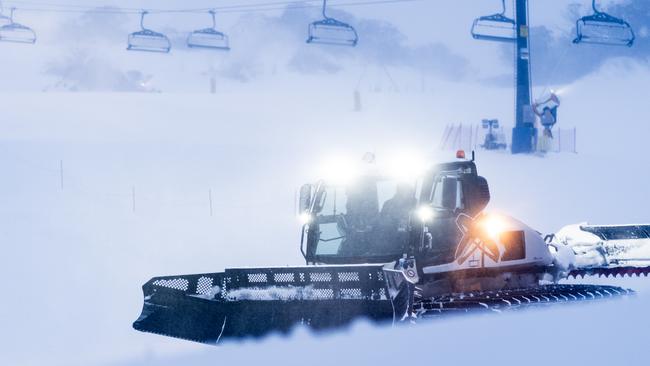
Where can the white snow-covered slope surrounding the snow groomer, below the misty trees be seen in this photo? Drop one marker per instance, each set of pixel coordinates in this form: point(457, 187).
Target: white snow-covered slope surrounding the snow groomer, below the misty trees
point(74, 258)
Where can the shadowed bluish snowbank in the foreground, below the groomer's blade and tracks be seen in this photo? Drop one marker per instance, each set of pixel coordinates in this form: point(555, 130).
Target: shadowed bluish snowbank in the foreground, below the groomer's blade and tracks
point(586, 335)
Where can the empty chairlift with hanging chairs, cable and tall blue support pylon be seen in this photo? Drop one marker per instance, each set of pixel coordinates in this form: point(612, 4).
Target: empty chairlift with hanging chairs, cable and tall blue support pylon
point(509, 24)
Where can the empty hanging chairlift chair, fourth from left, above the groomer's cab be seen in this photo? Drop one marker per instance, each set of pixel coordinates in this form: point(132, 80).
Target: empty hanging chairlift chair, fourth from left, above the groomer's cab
point(332, 31)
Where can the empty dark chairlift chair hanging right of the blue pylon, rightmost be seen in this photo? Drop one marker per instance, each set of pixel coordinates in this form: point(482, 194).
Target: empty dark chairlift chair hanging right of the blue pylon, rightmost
point(602, 28)
